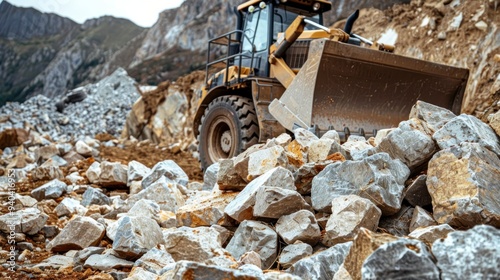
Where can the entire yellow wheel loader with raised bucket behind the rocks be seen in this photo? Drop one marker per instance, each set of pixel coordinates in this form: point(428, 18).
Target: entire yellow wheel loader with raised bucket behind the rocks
point(282, 69)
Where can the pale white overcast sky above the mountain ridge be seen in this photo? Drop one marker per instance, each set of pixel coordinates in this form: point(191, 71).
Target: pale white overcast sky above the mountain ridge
point(141, 12)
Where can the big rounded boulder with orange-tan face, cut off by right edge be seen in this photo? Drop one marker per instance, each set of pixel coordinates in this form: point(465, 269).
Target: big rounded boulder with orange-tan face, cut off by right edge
point(464, 183)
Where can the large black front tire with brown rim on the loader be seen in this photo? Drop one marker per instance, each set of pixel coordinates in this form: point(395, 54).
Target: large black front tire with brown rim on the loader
point(228, 127)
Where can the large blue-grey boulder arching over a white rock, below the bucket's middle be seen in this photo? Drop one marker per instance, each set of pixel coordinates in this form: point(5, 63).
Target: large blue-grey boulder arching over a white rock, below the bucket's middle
point(377, 178)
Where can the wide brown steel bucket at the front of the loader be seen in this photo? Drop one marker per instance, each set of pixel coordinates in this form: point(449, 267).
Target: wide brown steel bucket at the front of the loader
point(346, 86)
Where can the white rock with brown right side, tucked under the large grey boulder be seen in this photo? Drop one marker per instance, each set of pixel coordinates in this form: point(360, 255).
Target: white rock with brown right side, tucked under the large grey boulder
point(349, 214)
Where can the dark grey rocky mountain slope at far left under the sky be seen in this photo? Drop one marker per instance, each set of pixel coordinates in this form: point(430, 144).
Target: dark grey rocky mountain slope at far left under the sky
point(47, 54)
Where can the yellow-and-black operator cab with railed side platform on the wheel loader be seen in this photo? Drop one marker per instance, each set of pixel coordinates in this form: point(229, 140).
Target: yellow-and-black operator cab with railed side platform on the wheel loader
point(248, 47)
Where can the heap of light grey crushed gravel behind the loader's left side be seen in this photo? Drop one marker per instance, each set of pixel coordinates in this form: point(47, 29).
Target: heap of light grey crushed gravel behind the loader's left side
point(103, 109)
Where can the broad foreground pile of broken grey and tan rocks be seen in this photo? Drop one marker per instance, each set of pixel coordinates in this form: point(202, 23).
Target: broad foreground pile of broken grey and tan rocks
point(418, 201)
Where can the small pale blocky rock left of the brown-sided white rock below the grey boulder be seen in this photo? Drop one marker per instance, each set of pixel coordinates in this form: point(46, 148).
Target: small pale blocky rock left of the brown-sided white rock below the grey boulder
point(299, 226)
